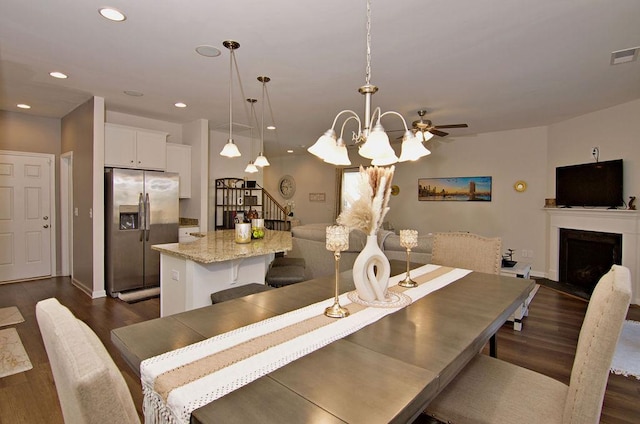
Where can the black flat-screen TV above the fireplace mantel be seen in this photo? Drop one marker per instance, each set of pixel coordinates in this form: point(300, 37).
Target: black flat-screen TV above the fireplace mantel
point(597, 184)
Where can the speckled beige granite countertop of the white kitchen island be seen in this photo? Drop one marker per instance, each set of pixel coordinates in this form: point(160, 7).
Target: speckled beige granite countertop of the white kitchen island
point(219, 246)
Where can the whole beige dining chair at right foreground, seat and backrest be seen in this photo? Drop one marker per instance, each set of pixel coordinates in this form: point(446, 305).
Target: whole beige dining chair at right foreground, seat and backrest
point(489, 390)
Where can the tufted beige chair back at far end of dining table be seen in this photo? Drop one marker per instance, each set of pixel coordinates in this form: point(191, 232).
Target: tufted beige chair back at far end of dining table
point(467, 250)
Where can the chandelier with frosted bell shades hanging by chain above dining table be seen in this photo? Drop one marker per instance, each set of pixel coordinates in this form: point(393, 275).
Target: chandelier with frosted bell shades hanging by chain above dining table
point(373, 140)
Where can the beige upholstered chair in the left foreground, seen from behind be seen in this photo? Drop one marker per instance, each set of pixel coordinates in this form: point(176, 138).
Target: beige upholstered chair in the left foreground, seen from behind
point(90, 387)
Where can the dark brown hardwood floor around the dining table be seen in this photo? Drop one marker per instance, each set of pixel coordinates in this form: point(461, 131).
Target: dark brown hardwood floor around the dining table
point(546, 344)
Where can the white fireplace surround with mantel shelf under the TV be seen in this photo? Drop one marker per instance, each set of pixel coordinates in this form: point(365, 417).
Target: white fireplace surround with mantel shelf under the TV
point(623, 222)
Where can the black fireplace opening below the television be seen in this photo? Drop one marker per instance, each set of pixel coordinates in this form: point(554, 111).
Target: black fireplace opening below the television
point(585, 256)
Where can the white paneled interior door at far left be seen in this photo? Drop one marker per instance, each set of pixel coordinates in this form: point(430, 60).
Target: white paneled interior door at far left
point(25, 216)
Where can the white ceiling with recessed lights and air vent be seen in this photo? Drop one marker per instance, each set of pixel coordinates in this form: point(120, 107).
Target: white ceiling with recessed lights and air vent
point(493, 64)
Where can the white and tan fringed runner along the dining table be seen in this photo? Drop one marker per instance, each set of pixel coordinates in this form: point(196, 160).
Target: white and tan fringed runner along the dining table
point(166, 401)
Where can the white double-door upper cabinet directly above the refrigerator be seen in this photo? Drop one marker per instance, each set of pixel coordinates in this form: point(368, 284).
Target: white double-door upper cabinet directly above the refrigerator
point(129, 147)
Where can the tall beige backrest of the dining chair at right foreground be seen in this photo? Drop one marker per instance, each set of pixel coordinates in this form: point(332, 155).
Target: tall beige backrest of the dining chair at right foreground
point(597, 342)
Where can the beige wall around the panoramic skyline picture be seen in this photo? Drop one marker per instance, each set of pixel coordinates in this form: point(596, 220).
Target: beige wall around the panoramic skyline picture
point(507, 157)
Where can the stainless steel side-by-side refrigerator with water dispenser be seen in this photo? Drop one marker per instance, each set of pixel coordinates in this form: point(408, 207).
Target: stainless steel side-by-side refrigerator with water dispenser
point(141, 210)
